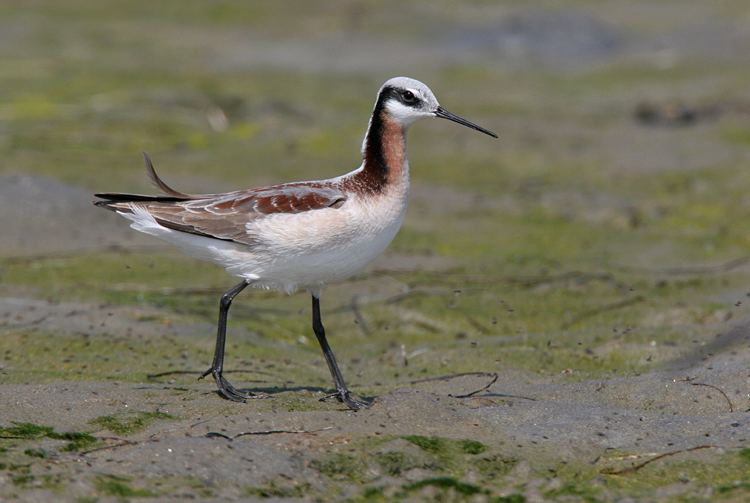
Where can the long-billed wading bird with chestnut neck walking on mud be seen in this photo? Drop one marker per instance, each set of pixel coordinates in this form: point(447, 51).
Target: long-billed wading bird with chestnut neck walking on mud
point(298, 235)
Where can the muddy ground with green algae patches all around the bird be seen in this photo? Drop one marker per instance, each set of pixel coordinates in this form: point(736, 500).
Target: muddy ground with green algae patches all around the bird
point(564, 316)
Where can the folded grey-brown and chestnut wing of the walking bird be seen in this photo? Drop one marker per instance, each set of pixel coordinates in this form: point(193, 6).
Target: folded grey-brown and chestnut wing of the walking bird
point(225, 216)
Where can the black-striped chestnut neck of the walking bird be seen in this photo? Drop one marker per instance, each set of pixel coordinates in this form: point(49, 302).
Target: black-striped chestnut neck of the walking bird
point(384, 162)
